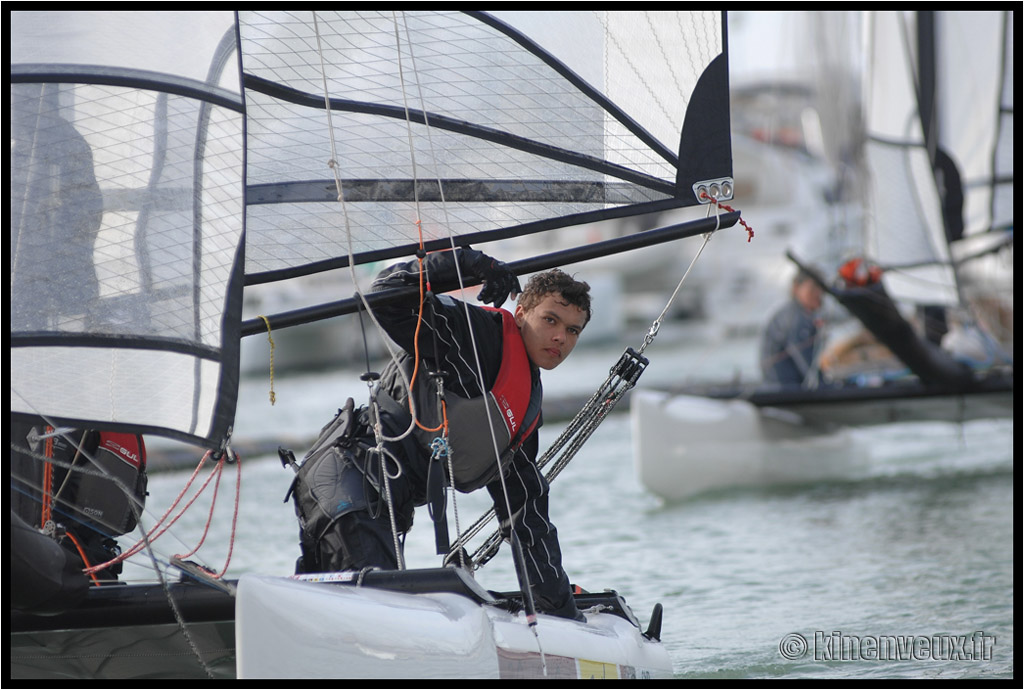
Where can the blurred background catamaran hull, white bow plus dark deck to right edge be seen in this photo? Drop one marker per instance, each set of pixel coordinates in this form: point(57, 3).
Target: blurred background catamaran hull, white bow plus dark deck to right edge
point(728, 438)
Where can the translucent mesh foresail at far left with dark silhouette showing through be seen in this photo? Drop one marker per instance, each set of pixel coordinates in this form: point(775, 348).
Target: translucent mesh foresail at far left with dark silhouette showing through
point(127, 217)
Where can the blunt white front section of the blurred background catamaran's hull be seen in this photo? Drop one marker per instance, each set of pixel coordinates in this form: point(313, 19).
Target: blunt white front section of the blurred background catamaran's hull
point(686, 446)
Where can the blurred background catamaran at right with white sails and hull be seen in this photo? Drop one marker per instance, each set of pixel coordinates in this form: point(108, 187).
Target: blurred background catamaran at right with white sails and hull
point(937, 180)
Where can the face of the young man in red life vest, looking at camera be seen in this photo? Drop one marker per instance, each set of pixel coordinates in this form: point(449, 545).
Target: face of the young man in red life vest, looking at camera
point(550, 330)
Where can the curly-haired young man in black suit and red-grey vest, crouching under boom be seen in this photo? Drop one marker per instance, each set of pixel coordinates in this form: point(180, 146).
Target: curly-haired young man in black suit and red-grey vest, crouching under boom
point(483, 358)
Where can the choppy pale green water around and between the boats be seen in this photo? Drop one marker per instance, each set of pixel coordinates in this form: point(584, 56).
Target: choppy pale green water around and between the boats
point(907, 573)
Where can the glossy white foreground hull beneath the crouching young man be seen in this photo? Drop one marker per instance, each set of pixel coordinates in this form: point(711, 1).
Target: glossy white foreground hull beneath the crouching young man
point(287, 628)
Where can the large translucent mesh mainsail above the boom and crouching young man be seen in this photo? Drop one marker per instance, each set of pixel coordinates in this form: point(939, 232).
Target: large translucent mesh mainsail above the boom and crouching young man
point(463, 123)
